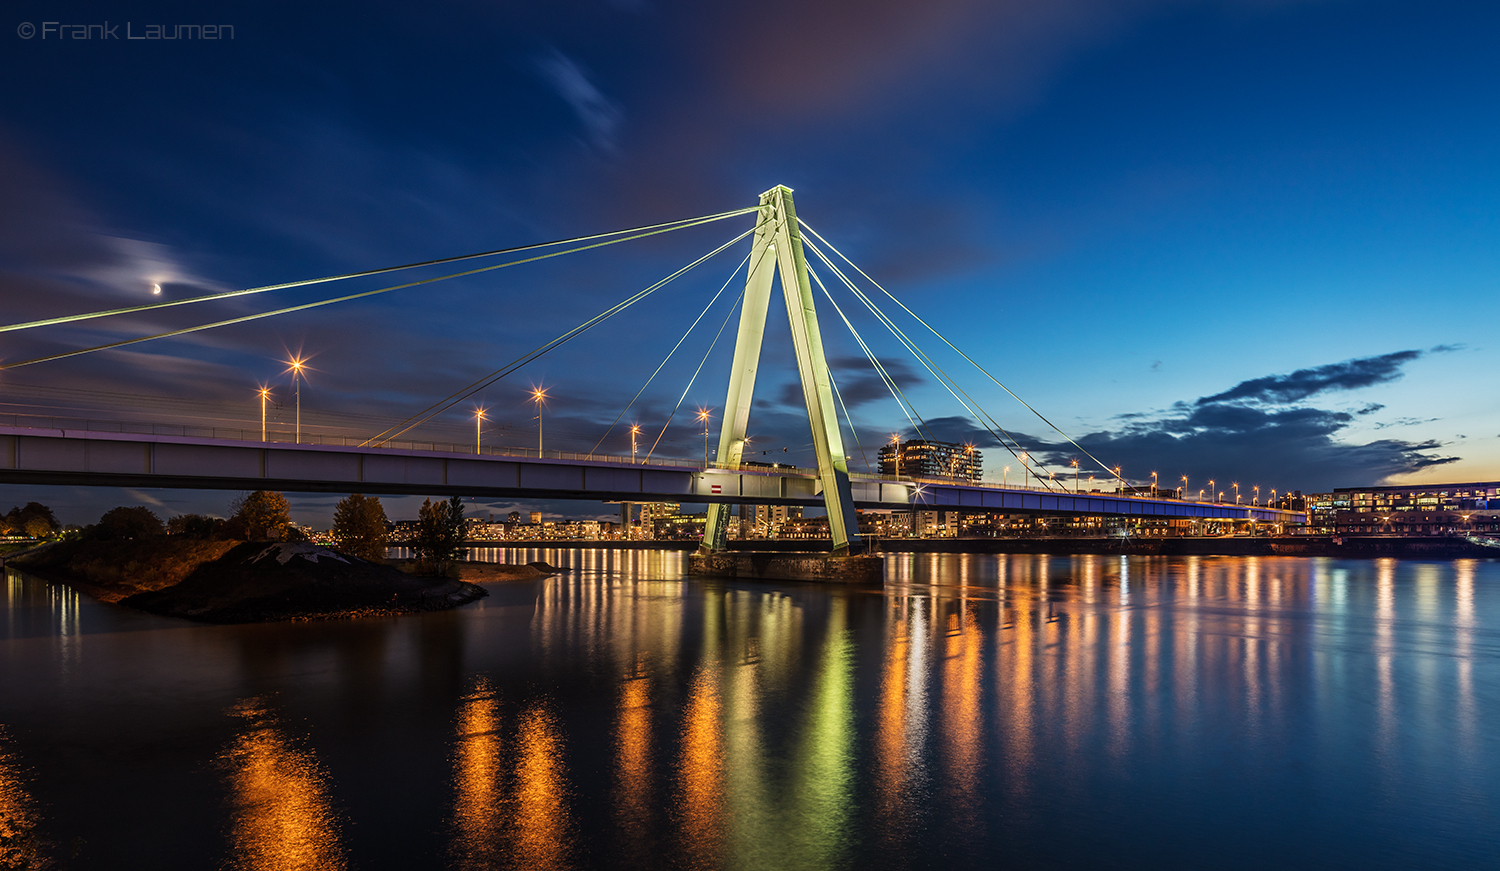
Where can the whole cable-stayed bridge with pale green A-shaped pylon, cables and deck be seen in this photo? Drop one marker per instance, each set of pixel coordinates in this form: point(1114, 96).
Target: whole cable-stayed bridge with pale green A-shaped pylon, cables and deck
point(382, 464)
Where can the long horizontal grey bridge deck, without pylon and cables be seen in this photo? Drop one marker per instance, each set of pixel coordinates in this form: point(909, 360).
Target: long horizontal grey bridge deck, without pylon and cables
point(106, 459)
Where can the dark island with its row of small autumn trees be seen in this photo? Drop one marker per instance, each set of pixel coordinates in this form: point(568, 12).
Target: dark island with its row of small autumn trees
point(254, 567)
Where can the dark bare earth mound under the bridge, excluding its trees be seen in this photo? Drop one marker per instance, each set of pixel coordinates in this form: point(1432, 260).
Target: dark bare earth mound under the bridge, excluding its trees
point(229, 582)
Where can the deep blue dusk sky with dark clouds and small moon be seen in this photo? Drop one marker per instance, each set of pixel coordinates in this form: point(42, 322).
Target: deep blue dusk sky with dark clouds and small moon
point(1240, 241)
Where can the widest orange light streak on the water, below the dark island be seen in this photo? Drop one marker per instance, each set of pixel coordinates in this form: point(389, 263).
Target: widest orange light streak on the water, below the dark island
point(283, 818)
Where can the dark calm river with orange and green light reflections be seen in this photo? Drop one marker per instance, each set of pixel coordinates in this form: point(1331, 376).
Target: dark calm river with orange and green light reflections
point(979, 713)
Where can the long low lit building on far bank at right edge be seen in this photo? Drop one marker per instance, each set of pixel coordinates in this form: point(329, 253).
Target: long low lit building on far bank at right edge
point(1418, 509)
